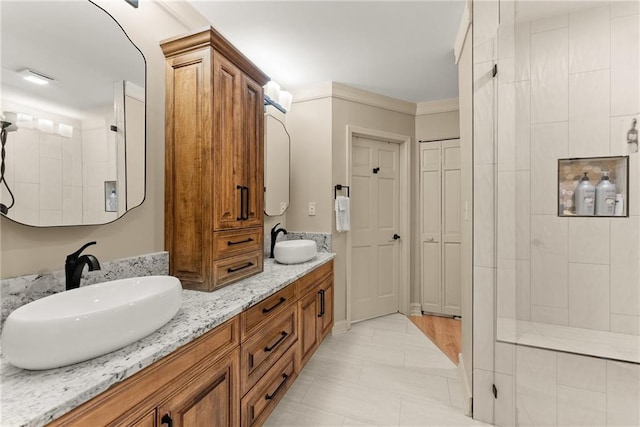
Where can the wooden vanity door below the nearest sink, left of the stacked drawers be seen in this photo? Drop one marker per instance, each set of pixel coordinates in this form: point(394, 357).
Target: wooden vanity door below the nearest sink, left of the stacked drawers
point(211, 398)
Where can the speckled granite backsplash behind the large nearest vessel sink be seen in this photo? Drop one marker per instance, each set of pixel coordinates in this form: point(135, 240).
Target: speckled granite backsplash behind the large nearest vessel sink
point(18, 291)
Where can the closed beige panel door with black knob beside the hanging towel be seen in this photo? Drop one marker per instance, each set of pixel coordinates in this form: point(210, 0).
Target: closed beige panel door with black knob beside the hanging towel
point(374, 222)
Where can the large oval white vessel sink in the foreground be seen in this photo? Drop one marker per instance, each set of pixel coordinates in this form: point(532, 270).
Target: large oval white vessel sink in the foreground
point(90, 321)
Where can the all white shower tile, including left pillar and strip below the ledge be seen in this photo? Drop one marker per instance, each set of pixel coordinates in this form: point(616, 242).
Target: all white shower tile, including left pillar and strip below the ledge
point(571, 271)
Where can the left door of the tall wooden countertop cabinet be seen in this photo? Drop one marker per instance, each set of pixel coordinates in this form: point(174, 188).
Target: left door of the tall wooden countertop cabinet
point(228, 176)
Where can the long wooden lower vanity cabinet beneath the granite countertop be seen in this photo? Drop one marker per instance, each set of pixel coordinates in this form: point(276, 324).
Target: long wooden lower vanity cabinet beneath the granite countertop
point(232, 375)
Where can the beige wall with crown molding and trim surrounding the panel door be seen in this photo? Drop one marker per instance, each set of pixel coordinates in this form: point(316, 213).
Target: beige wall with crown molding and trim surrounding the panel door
point(318, 127)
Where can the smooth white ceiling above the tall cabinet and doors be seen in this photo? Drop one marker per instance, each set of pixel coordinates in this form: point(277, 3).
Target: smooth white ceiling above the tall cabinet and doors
point(395, 48)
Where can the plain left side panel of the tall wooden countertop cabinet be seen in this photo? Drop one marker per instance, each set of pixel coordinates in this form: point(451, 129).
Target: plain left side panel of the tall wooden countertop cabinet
point(188, 166)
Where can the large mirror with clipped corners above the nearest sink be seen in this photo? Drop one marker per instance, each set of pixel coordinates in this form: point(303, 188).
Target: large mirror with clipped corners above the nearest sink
point(74, 84)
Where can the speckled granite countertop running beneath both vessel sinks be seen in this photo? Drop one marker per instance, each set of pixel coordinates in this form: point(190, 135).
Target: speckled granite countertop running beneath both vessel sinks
point(34, 398)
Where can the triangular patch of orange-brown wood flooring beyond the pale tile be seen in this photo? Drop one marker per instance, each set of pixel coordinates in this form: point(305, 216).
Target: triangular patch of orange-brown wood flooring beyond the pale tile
point(444, 332)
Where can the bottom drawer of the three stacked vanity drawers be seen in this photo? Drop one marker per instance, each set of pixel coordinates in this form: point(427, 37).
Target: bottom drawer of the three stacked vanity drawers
point(265, 395)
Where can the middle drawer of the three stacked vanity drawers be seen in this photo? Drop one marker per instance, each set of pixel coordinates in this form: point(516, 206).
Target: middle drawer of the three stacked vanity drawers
point(264, 348)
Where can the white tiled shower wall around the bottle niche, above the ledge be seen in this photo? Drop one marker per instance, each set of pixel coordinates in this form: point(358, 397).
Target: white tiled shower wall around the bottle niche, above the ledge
point(568, 87)
